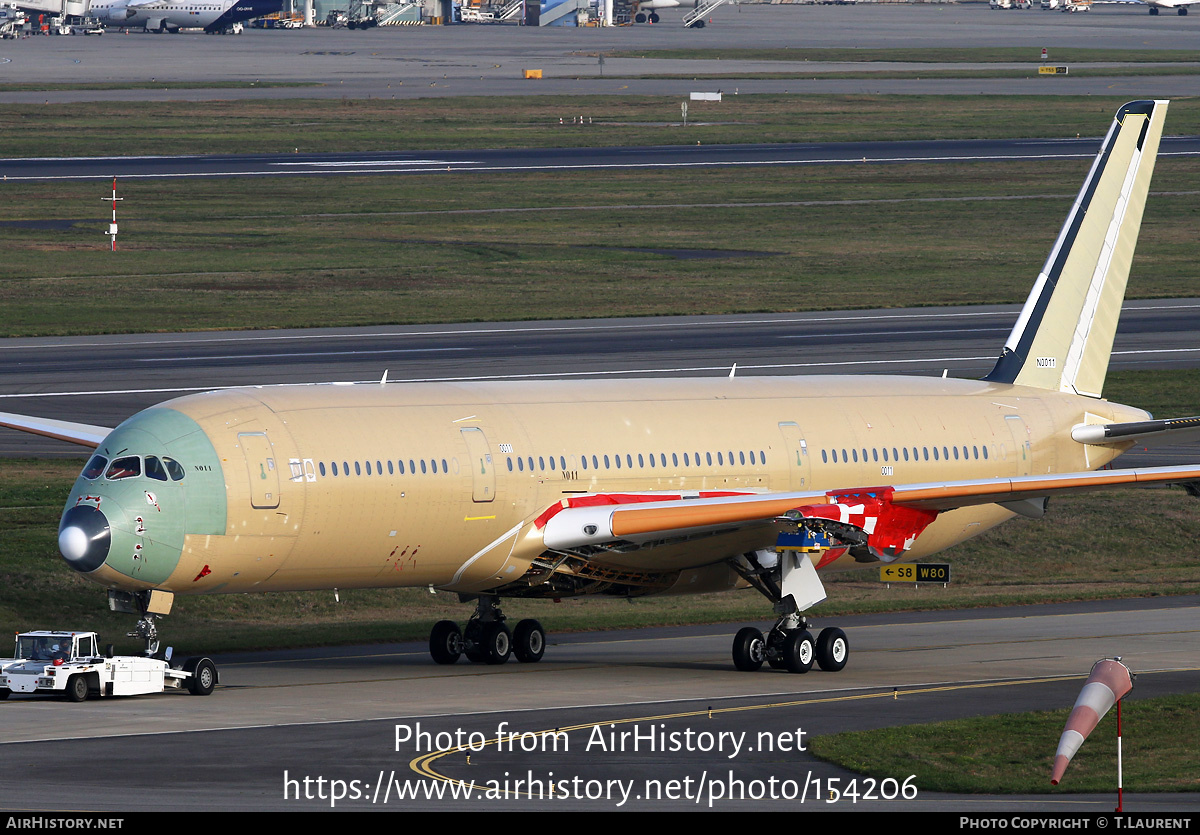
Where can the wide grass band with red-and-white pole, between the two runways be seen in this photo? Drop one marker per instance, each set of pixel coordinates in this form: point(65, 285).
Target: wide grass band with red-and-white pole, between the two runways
point(298, 253)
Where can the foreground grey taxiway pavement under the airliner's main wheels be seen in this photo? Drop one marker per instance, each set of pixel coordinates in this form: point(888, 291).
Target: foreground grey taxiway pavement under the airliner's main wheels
point(334, 714)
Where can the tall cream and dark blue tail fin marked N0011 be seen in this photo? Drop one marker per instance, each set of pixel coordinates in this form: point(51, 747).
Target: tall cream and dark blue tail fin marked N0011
point(1064, 338)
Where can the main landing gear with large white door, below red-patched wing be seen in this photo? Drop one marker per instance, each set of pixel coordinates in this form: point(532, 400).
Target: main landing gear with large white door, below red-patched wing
point(785, 579)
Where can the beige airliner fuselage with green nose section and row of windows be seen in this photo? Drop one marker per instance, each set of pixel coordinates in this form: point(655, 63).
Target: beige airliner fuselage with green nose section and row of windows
point(442, 484)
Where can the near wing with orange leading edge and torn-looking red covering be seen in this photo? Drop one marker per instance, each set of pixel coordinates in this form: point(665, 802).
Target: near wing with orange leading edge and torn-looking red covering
point(890, 518)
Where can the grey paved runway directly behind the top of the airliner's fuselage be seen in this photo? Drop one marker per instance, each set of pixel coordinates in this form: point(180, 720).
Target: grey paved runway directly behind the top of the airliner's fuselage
point(105, 380)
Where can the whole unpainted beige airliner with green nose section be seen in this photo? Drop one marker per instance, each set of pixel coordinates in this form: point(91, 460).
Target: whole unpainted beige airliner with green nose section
point(627, 488)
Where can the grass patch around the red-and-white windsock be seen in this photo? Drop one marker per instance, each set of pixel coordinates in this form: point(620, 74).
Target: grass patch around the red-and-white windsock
point(1015, 754)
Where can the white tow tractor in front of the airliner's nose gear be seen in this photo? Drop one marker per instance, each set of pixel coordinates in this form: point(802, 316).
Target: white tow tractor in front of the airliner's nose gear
point(69, 664)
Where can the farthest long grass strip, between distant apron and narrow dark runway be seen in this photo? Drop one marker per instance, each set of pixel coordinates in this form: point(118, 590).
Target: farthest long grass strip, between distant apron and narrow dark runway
point(533, 122)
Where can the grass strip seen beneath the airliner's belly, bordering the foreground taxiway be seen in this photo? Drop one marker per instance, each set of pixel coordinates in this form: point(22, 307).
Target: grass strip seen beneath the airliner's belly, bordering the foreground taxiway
point(1082, 551)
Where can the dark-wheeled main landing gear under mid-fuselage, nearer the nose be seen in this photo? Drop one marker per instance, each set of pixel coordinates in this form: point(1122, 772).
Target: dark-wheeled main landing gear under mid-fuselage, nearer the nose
point(487, 639)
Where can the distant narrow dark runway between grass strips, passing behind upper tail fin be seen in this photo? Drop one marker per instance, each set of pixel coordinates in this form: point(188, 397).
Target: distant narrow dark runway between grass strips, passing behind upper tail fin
point(561, 159)
